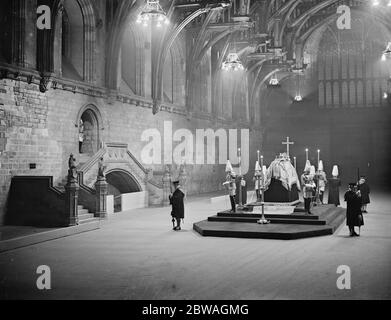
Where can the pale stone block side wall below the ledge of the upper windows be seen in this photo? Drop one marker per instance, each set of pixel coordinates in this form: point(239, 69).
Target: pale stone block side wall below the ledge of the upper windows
point(40, 128)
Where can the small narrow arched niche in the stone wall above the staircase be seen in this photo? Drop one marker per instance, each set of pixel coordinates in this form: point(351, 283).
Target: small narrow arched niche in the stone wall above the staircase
point(88, 132)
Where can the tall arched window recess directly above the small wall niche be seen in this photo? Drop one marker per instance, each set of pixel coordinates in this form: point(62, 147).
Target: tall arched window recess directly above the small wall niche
point(71, 51)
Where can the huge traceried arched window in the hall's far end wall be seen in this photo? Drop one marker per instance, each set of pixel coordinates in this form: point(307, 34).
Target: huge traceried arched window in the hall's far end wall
point(351, 61)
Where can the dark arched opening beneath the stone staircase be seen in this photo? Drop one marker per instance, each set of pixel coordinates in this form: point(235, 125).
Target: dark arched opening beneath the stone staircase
point(120, 182)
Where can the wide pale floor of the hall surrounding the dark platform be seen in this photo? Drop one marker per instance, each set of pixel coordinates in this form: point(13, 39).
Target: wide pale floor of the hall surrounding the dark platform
point(136, 255)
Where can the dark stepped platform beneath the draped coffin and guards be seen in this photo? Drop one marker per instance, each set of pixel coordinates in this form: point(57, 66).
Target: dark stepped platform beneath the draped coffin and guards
point(324, 221)
